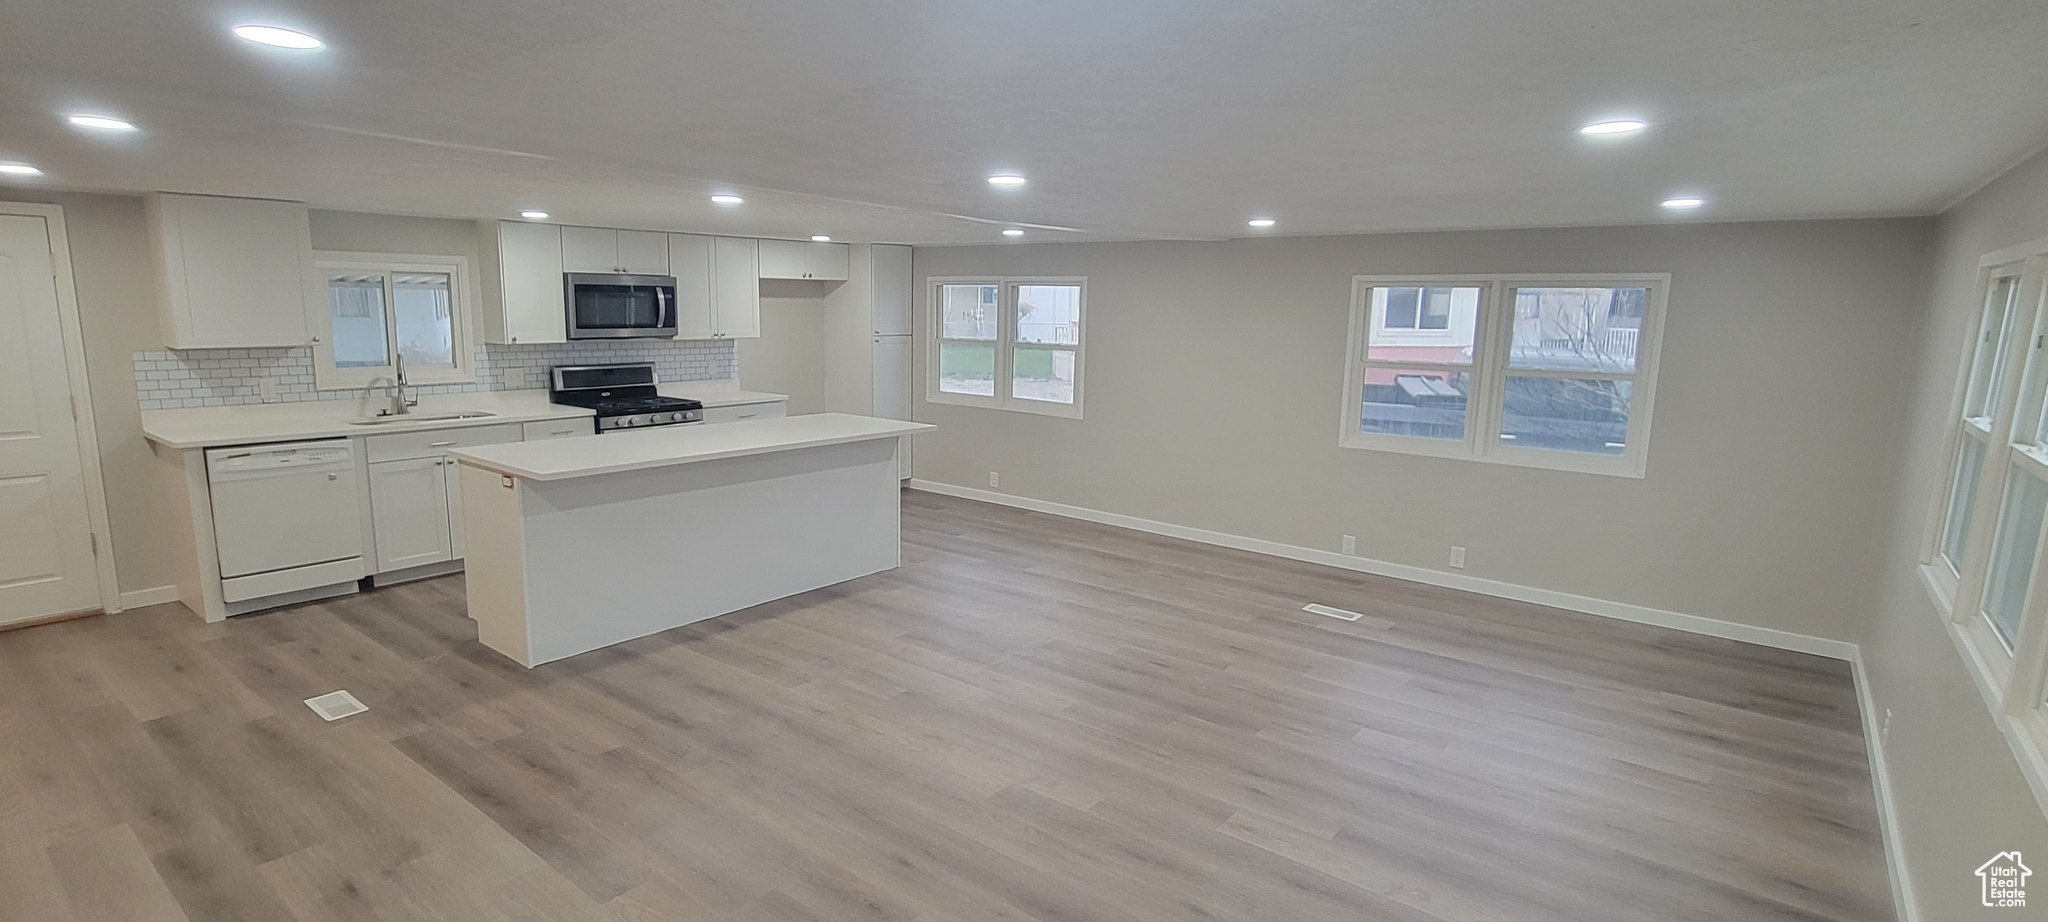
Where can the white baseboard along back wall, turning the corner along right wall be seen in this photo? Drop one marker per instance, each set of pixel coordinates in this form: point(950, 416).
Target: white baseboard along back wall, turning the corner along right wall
point(1586, 605)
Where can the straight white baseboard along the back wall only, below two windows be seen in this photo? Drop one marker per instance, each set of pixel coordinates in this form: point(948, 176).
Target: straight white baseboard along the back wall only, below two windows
point(1693, 624)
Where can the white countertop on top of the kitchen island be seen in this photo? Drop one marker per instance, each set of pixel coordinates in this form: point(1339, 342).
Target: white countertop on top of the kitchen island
point(679, 446)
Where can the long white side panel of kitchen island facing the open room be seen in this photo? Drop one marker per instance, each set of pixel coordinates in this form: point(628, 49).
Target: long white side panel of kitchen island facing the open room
point(624, 556)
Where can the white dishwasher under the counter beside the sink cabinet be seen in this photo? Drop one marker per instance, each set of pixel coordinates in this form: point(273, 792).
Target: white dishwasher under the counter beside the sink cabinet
point(286, 517)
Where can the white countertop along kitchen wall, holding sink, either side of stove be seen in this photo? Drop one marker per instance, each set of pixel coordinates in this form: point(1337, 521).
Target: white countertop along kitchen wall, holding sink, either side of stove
point(327, 419)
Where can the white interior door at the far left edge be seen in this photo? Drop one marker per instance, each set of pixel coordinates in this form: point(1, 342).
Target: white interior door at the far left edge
point(46, 542)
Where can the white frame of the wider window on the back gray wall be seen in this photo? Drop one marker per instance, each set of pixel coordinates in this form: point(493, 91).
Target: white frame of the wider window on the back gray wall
point(1492, 368)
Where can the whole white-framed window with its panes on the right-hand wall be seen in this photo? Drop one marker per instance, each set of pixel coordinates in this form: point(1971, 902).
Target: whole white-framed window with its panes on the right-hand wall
point(1986, 540)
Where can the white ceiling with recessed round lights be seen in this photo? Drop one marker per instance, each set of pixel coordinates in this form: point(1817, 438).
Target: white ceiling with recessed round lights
point(1134, 118)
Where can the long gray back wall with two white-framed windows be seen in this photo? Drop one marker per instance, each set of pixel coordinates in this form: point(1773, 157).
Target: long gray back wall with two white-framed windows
point(1213, 401)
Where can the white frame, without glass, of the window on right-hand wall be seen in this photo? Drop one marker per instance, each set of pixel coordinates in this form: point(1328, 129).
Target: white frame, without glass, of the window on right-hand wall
point(2012, 681)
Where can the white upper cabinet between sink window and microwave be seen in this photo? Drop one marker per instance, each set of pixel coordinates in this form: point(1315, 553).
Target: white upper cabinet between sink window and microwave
point(523, 284)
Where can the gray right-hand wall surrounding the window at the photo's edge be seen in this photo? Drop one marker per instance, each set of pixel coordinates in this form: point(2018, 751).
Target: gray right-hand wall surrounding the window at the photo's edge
point(1957, 784)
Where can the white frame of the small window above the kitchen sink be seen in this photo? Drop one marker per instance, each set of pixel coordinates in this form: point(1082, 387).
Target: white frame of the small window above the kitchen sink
point(462, 317)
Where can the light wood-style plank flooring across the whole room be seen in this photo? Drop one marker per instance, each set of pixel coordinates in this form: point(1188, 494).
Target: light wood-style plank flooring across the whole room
point(1031, 720)
